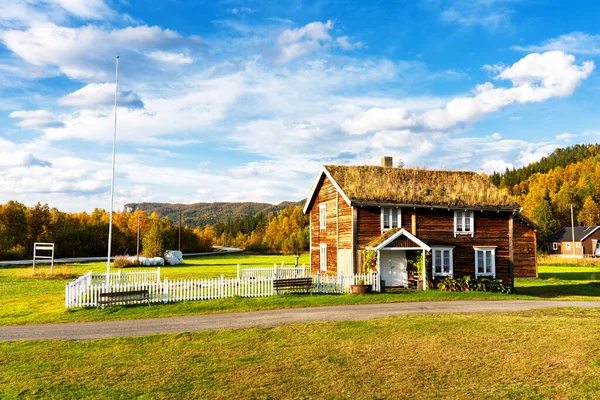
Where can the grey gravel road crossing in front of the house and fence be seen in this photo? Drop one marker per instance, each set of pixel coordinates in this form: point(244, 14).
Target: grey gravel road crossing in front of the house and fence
point(195, 323)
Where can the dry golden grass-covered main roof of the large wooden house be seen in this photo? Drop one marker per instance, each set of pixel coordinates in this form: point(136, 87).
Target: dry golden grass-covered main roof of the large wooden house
point(418, 186)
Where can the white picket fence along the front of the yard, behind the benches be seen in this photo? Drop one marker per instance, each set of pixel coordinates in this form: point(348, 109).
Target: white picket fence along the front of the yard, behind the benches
point(82, 292)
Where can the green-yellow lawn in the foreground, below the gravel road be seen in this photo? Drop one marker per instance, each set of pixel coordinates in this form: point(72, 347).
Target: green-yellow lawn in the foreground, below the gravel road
point(535, 355)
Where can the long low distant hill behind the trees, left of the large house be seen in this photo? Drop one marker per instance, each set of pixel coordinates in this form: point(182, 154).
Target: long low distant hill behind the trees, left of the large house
point(201, 214)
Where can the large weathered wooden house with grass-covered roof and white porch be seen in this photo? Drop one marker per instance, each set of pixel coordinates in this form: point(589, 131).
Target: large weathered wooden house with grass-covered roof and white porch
point(459, 220)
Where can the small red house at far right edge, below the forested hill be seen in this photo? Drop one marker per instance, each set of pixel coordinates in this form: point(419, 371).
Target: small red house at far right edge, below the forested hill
point(575, 241)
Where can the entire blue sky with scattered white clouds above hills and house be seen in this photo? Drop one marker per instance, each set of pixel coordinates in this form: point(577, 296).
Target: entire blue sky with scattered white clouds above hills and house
point(244, 101)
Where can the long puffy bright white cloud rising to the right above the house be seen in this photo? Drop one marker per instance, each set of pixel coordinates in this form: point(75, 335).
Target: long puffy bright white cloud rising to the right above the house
point(535, 78)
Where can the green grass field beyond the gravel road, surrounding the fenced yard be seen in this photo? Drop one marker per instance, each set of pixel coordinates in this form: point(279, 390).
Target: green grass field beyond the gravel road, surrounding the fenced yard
point(25, 299)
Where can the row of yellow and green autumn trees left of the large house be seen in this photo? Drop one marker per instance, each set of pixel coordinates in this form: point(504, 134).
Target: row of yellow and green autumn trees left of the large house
point(86, 234)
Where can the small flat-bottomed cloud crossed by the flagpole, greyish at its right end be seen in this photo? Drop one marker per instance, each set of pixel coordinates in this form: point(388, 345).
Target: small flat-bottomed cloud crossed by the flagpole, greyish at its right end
point(101, 94)
